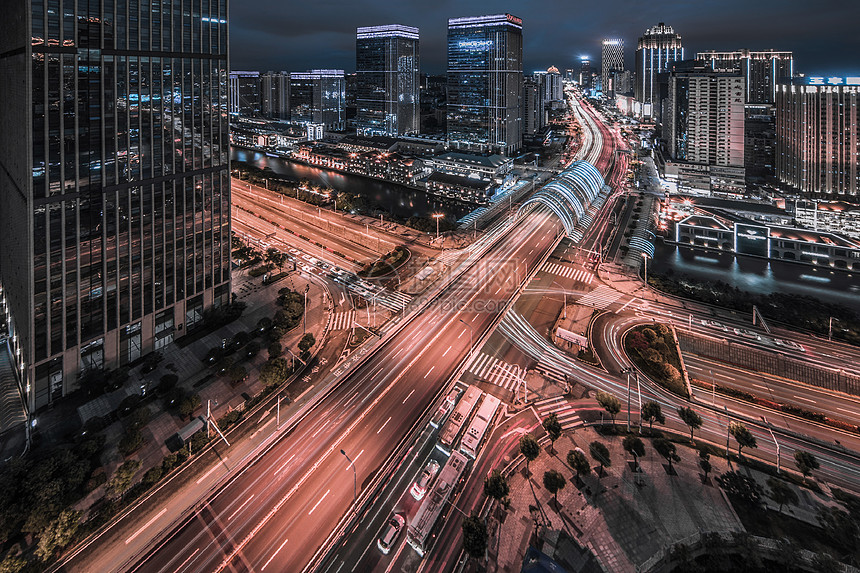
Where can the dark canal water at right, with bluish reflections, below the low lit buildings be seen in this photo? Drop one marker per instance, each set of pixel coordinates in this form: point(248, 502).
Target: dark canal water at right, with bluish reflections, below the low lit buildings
point(760, 275)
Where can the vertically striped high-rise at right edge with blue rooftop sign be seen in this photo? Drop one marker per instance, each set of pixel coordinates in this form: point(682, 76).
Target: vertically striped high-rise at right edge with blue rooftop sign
point(817, 141)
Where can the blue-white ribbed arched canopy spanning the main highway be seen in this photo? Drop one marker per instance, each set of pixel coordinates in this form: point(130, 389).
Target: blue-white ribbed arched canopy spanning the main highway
point(570, 194)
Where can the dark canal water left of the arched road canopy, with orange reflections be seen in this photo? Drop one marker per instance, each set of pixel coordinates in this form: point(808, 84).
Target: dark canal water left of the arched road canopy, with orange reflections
point(399, 200)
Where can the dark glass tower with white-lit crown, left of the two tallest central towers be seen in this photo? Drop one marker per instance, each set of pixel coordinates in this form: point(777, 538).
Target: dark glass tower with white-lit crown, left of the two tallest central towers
point(387, 80)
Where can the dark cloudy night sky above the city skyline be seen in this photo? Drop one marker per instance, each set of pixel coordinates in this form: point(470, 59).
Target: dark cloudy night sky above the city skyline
point(294, 36)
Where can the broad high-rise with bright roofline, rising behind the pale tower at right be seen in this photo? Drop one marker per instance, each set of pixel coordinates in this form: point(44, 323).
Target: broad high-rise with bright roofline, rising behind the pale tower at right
point(762, 70)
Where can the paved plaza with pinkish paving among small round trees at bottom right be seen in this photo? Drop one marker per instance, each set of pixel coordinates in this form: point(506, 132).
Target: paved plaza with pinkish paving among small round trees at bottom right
point(621, 523)
